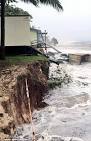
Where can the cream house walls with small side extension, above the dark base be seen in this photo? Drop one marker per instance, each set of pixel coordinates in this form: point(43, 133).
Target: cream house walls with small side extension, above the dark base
point(18, 31)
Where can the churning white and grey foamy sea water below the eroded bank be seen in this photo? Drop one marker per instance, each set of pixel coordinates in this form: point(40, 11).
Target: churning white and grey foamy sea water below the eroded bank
point(68, 116)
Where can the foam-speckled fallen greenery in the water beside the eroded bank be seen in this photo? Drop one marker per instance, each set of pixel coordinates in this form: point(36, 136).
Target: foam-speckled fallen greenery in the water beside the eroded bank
point(58, 76)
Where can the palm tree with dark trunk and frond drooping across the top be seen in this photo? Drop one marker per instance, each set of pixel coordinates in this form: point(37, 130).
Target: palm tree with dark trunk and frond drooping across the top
point(54, 3)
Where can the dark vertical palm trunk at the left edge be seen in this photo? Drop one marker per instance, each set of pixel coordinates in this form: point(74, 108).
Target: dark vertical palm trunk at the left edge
point(2, 50)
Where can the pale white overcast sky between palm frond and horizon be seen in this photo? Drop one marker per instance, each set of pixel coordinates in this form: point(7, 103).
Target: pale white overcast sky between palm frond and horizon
point(73, 24)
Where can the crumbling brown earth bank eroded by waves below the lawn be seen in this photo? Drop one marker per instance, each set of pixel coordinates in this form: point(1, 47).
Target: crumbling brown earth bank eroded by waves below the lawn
point(14, 108)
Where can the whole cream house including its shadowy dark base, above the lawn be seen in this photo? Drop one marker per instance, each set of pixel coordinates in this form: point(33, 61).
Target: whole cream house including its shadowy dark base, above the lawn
point(19, 36)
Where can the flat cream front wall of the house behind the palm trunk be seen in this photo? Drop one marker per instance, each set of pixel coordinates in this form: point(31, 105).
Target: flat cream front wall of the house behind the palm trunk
point(17, 31)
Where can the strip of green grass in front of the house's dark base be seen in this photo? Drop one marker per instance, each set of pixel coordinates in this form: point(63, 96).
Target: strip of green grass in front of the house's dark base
point(24, 59)
